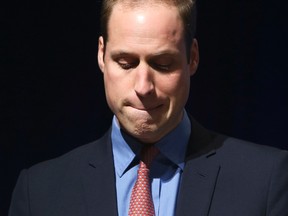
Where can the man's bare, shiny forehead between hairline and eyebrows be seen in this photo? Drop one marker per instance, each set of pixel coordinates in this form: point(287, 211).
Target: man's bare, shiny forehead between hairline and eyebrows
point(145, 24)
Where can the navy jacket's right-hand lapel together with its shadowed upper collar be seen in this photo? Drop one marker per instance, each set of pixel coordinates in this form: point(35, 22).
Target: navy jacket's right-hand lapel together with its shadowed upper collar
point(200, 174)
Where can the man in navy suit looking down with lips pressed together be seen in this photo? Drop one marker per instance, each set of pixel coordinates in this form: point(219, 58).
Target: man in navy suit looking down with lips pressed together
point(147, 53)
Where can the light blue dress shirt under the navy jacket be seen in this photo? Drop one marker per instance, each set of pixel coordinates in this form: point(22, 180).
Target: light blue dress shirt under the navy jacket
point(165, 171)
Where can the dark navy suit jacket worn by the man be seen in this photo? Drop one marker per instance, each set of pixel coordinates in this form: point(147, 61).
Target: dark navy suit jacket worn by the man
point(223, 176)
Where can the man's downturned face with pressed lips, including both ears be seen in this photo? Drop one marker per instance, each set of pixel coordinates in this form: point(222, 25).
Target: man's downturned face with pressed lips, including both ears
point(146, 72)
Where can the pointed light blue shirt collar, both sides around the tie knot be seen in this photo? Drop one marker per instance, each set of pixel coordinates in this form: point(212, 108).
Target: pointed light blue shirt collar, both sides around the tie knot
point(172, 146)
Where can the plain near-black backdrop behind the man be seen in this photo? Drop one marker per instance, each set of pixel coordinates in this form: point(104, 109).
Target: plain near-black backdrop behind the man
point(53, 99)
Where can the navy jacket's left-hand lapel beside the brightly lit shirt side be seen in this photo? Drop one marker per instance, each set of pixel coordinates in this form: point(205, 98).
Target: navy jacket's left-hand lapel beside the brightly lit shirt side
point(99, 180)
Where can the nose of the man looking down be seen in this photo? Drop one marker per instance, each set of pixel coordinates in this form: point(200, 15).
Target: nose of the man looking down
point(144, 81)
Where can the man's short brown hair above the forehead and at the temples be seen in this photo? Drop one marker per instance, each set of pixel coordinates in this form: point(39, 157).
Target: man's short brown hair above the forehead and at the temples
point(186, 8)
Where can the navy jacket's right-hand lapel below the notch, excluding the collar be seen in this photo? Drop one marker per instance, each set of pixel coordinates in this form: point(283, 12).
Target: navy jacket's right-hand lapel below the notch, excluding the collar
point(197, 186)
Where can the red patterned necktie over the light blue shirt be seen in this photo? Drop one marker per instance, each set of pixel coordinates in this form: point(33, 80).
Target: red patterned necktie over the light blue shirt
point(141, 203)
